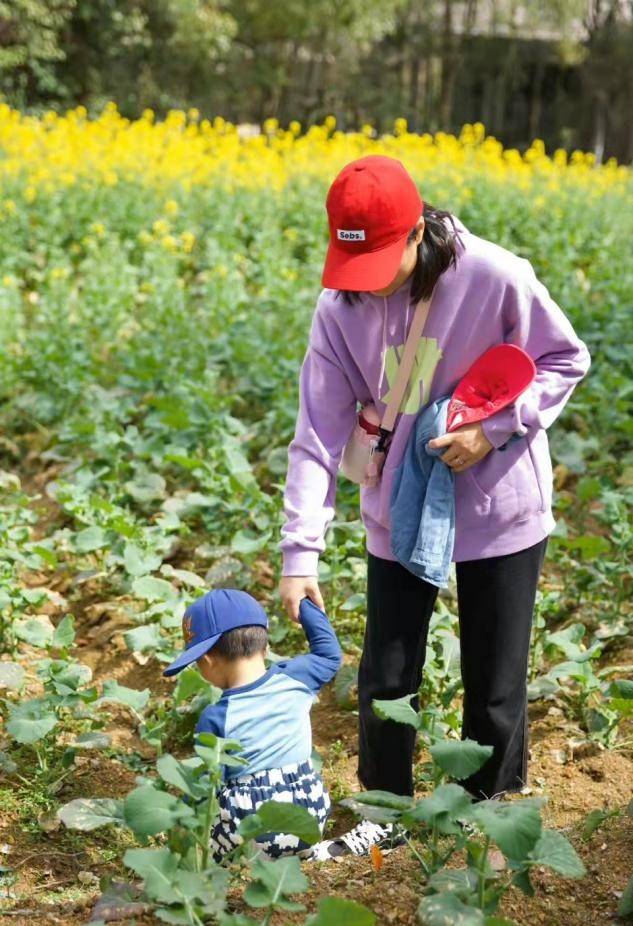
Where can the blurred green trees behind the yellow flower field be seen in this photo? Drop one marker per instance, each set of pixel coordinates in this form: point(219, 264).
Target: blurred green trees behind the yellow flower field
point(559, 71)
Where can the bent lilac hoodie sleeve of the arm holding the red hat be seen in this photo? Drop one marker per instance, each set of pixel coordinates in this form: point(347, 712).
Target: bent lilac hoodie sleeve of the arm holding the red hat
point(534, 322)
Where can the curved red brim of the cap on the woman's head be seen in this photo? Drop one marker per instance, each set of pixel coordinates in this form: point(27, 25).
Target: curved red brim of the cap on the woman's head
point(362, 271)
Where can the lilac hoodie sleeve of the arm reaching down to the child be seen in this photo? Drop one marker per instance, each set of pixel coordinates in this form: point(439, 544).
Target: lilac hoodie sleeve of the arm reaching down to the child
point(327, 412)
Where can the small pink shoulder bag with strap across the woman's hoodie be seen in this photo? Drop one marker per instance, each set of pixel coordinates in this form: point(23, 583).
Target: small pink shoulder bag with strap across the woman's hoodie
point(365, 452)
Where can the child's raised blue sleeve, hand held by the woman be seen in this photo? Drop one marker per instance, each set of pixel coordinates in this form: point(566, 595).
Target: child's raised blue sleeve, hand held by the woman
point(323, 661)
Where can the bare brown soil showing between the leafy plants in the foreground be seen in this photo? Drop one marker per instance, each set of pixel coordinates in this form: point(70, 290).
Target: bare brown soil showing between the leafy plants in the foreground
point(575, 779)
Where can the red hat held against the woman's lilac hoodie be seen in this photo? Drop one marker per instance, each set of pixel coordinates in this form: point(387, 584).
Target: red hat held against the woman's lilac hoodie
point(495, 379)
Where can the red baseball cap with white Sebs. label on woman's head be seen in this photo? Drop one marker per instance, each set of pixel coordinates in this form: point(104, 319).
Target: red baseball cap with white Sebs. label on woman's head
point(372, 207)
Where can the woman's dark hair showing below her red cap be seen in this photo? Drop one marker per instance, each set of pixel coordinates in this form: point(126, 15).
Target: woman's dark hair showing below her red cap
point(436, 253)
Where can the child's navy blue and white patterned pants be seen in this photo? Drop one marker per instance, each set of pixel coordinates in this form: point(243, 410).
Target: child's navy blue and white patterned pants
point(292, 784)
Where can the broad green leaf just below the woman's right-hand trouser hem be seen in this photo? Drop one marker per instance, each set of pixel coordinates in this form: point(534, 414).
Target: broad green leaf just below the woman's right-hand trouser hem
point(515, 826)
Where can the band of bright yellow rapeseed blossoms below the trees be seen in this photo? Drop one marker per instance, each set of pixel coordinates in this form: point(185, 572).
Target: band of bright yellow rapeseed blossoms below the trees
point(53, 151)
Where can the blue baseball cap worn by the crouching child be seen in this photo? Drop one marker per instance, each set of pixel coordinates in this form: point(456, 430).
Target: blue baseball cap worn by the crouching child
point(209, 617)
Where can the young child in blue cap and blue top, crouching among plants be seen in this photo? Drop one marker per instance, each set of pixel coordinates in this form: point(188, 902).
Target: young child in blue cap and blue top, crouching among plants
point(266, 710)
